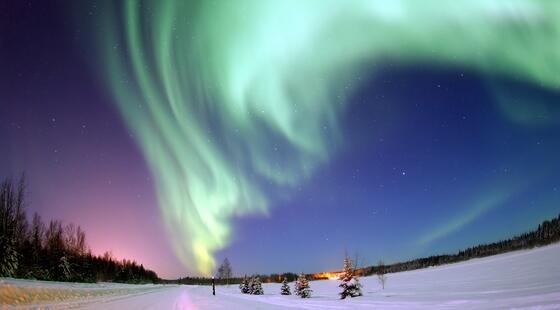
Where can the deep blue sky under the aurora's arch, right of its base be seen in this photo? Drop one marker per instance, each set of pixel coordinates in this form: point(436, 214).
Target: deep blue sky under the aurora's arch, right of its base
point(422, 147)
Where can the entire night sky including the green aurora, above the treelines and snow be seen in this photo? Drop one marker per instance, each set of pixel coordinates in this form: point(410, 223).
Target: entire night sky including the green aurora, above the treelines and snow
point(180, 133)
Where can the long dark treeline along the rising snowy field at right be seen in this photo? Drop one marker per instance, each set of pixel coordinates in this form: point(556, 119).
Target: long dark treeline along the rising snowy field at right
point(546, 233)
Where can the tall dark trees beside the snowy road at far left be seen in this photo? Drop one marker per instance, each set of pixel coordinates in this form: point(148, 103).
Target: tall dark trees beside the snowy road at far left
point(54, 251)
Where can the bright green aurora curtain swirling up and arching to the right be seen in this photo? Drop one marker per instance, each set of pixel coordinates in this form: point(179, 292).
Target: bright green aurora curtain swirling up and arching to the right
point(211, 90)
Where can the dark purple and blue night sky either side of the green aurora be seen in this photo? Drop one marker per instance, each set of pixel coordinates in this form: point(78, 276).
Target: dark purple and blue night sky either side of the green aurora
point(429, 161)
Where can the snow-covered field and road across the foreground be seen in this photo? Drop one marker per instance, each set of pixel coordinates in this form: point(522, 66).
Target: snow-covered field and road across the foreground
point(519, 280)
